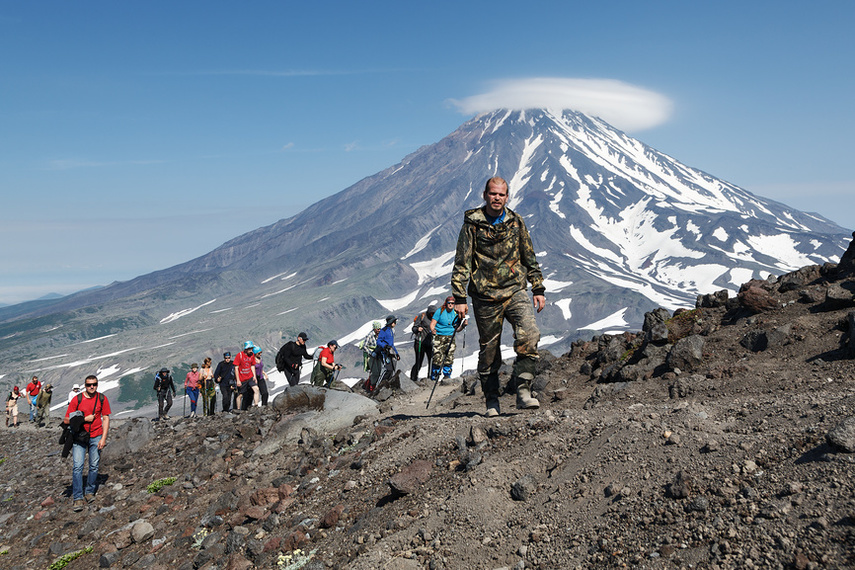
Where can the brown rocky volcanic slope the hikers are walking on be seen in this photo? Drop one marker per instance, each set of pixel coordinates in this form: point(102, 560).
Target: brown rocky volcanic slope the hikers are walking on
point(719, 437)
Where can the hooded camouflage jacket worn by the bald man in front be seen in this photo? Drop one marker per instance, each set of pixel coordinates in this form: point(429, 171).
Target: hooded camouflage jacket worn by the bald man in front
point(495, 261)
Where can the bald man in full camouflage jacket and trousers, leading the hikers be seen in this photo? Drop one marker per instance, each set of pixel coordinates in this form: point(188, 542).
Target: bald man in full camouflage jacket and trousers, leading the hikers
point(496, 259)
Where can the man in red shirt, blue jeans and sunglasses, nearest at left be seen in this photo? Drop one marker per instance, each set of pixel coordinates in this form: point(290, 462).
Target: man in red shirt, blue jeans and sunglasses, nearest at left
point(94, 409)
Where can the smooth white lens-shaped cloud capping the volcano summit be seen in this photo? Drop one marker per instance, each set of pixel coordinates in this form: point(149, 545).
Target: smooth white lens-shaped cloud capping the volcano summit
point(625, 106)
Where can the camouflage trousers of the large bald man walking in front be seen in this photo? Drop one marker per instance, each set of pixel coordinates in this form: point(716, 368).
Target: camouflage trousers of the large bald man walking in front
point(490, 317)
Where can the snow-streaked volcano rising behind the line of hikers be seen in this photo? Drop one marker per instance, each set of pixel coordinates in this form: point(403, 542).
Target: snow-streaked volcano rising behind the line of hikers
point(619, 227)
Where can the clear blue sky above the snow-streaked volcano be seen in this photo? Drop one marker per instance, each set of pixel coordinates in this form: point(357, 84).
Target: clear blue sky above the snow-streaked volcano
point(135, 136)
